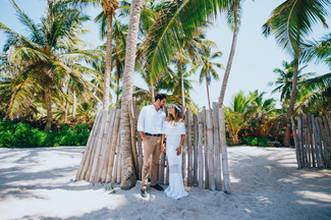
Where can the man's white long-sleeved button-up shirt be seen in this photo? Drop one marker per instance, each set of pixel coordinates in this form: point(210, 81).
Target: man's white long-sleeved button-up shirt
point(150, 120)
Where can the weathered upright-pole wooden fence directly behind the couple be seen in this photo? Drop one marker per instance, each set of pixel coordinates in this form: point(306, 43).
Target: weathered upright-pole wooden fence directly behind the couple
point(205, 162)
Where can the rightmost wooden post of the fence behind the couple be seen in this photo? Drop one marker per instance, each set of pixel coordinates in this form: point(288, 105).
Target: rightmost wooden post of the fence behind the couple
point(225, 166)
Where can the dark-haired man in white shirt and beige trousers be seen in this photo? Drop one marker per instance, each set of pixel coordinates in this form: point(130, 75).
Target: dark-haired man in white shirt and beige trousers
point(150, 123)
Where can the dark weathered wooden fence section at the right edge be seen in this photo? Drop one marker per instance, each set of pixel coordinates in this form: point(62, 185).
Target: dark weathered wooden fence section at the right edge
point(312, 138)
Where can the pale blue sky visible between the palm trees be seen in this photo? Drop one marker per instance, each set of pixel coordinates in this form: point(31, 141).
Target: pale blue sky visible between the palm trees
point(255, 57)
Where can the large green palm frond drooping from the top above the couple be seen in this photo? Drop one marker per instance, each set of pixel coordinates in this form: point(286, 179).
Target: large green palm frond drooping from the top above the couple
point(174, 26)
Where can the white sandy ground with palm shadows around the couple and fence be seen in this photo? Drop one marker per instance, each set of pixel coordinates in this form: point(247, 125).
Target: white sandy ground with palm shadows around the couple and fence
point(37, 184)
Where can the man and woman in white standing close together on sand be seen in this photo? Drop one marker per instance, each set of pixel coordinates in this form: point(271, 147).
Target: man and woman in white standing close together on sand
point(155, 128)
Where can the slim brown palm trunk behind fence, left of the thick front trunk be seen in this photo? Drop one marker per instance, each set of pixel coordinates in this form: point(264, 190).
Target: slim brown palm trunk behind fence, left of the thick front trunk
point(106, 89)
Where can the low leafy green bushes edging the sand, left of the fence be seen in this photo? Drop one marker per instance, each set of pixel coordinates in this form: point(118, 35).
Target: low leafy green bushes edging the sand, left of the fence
point(13, 134)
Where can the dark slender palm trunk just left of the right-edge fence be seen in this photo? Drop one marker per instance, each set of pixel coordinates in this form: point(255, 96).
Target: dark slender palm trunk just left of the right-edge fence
point(293, 98)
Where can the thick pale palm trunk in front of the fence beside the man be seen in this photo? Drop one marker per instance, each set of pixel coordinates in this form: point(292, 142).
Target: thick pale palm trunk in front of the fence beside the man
point(128, 172)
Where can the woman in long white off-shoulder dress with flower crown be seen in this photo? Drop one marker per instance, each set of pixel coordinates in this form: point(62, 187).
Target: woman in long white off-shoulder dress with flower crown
point(174, 132)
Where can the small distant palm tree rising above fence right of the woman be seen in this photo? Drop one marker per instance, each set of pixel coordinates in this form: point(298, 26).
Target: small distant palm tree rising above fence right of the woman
point(208, 71)
